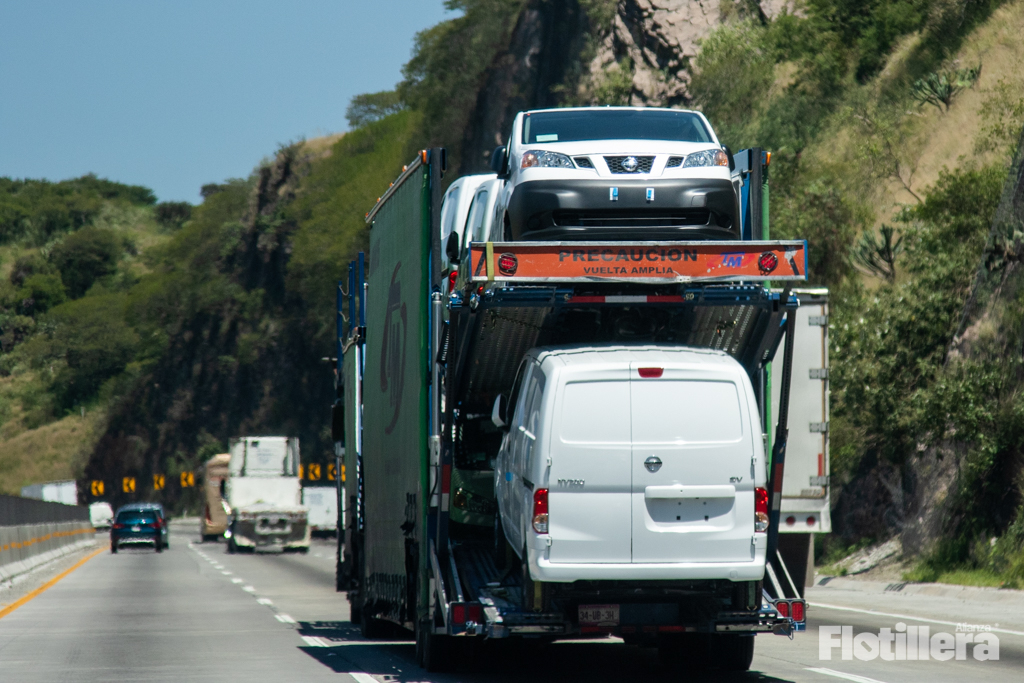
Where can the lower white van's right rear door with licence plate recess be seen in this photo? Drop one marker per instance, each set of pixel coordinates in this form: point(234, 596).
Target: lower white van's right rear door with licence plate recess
point(693, 446)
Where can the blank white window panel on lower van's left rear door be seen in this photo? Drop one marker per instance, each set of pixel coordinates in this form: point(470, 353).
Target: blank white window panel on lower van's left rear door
point(596, 413)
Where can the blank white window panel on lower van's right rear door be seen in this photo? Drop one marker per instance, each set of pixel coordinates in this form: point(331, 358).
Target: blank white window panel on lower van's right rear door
point(693, 412)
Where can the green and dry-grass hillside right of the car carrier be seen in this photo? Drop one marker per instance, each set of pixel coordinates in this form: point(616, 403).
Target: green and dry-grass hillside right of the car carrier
point(893, 130)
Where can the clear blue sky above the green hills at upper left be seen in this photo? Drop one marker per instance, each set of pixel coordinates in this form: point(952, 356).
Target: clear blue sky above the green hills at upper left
point(175, 95)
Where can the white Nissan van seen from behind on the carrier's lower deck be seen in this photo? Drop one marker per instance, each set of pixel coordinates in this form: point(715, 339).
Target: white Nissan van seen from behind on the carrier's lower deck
point(633, 463)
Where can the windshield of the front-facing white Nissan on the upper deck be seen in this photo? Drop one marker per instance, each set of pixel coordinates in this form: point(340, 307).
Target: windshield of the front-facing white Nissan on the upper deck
point(577, 125)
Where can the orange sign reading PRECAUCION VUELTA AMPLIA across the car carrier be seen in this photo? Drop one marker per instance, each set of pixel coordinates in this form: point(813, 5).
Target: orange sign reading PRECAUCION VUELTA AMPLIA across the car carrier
point(638, 262)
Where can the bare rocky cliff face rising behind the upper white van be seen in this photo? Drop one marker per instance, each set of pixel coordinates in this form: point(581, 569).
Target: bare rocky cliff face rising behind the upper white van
point(561, 54)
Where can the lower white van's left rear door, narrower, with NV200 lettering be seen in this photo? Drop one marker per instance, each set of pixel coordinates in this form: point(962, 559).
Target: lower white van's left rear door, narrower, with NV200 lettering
point(589, 495)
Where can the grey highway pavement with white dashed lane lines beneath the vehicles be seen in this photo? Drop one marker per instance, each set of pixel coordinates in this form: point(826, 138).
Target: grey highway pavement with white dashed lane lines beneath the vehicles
point(196, 614)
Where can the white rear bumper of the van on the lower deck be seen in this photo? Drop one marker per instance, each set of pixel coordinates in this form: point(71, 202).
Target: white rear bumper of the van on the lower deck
point(545, 571)
